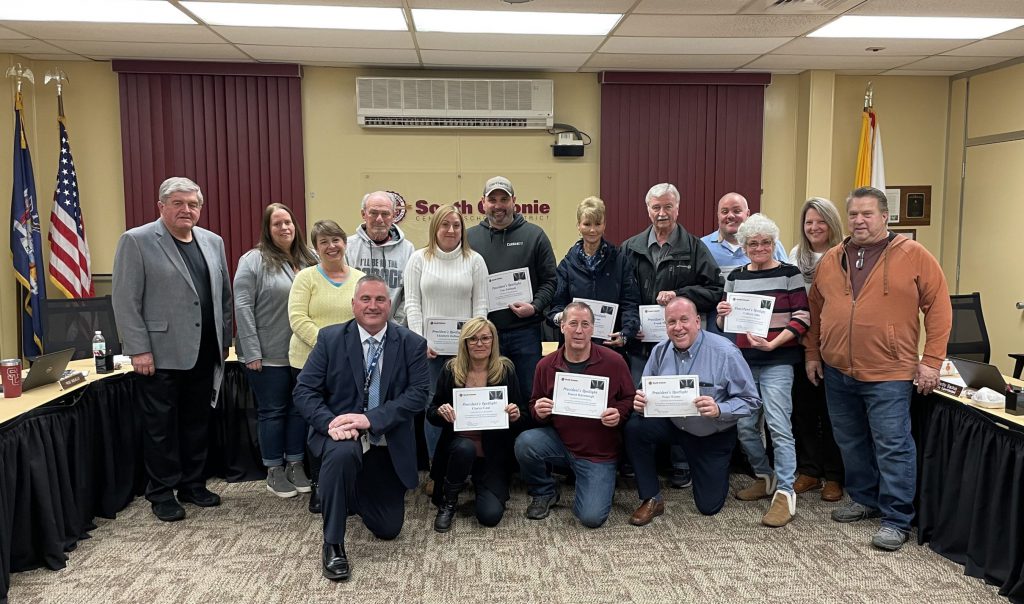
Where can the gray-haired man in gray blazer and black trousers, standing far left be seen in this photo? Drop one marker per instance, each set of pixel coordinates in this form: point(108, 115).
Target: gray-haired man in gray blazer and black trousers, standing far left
point(173, 299)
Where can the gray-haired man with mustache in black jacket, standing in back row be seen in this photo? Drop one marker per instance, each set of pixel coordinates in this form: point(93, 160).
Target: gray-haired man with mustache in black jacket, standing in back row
point(670, 263)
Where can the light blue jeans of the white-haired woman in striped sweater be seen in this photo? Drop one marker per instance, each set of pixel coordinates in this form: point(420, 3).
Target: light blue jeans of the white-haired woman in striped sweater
point(776, 384)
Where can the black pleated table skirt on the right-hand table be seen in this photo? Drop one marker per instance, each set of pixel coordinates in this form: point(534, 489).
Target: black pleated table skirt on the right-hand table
point(971, 492)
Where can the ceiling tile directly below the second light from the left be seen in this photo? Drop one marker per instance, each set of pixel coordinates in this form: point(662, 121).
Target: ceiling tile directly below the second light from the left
point(311, 37)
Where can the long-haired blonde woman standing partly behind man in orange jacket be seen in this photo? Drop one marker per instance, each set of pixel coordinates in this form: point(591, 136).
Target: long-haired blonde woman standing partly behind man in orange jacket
point(819, 457)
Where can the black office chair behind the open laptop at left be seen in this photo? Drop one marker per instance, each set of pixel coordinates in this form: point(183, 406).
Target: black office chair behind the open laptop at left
point(71, 323)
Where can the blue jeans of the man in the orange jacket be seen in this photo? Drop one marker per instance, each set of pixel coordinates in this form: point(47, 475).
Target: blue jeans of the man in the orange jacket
point(872, 425)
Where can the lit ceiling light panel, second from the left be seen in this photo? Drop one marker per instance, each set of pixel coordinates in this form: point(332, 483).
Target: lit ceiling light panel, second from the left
point(298, 16)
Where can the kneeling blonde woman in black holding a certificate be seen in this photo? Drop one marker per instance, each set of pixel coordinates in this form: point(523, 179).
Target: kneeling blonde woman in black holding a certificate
point(484, 456)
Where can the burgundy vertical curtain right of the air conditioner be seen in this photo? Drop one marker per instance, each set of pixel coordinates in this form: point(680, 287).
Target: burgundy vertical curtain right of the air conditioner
point(702, 133)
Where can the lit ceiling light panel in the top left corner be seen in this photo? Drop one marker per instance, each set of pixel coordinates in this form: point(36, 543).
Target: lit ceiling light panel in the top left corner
point(111, 12)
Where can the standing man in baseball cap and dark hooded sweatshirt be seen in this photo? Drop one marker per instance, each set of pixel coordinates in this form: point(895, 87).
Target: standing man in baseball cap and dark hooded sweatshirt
point(506, 241)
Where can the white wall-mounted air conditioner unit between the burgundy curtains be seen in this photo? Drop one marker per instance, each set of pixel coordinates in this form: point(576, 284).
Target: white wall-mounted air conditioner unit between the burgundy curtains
point(440, 103)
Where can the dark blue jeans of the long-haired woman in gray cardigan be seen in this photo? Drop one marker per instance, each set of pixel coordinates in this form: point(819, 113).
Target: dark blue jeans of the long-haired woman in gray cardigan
point(282, 429)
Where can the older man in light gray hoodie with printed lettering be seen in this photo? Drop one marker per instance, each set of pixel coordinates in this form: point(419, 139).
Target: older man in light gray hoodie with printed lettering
point(379, 247)
